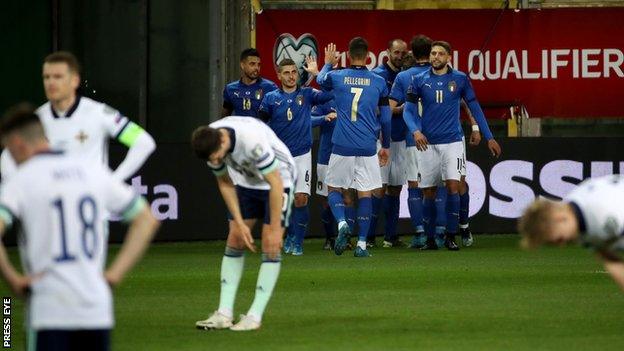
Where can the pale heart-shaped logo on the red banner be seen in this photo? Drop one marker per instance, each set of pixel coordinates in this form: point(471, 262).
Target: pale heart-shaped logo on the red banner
point(286, 46)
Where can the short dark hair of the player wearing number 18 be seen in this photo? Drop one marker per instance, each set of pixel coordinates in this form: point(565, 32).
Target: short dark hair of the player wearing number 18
point(20, 118)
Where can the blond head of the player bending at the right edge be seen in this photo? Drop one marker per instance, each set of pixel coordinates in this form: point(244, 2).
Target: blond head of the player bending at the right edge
point(547, 222)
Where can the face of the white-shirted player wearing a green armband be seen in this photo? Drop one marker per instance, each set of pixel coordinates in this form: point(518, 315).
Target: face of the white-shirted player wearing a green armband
point(59, 82)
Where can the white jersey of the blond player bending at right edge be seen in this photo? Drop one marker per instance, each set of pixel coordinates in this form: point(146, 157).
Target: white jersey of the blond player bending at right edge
point(599, 204)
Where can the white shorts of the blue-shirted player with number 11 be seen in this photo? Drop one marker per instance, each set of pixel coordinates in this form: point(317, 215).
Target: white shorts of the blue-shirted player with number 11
point(441, 162)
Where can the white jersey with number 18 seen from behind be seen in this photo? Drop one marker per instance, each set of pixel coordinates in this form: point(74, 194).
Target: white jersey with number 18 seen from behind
point(61, 202)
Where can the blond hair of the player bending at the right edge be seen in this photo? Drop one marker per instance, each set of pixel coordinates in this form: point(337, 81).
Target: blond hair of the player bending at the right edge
point(535, 223)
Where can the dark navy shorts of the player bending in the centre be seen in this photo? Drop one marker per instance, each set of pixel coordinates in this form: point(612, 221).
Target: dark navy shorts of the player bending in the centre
point(254, 204)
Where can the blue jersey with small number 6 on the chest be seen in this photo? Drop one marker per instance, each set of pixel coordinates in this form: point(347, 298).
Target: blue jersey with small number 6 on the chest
point(288, 114)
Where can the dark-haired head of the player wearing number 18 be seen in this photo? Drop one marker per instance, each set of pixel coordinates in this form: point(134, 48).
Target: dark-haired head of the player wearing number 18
point(22, 133)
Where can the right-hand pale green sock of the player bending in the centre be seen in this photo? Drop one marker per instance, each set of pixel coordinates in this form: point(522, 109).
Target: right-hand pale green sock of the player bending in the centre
point(267, 278)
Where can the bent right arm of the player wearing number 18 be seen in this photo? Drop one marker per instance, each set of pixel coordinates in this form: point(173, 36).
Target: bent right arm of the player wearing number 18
point(142, 228)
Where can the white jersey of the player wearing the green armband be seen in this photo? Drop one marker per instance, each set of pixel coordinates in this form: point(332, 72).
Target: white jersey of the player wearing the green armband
point(84, 130)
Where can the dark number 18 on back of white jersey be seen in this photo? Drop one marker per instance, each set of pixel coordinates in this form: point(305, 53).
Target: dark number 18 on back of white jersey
point(87, 211)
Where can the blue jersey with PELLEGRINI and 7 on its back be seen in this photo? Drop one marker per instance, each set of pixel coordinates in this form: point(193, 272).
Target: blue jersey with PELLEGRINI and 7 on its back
point(358, 93)
